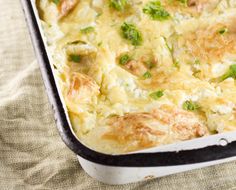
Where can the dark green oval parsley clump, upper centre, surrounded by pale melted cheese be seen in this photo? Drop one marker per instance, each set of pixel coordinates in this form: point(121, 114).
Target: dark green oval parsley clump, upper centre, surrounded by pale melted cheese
point(131, 33)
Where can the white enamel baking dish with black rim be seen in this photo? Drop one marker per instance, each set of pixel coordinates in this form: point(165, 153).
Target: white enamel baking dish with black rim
point(126, 168)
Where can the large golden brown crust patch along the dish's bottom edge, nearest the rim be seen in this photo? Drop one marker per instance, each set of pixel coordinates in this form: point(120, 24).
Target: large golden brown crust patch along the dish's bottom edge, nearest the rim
point(135, 131)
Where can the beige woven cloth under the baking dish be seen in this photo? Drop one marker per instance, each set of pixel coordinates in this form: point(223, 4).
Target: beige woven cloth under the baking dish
point(32, 155)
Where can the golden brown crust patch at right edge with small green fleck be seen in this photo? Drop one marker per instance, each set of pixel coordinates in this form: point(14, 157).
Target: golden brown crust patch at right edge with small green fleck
point(208, 45)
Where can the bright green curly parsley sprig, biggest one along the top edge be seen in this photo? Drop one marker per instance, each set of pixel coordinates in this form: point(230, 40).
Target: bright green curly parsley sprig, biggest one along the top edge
point(156, 11)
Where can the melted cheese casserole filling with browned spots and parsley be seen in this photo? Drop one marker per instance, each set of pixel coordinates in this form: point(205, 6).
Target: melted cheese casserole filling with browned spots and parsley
point(155, 83)
